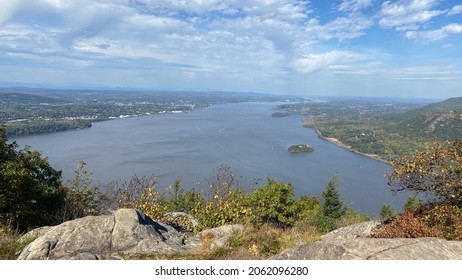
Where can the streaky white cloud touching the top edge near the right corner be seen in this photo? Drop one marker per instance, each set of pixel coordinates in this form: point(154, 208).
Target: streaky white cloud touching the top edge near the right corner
point(407, 14)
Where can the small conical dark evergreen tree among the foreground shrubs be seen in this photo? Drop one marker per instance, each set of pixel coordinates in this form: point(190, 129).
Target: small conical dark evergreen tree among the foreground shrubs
point(333, 205)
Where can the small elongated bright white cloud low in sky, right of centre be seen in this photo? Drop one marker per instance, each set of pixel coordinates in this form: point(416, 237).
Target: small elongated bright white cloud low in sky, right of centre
point(316, 62)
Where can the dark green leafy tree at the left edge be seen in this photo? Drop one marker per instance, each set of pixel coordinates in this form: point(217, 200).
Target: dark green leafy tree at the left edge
point(30, 189)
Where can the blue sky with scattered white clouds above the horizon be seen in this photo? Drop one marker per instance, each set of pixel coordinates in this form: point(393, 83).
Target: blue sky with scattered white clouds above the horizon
point(406, 48)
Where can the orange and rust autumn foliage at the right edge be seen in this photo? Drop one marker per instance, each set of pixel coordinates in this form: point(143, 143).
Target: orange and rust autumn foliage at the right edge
point(436, 172)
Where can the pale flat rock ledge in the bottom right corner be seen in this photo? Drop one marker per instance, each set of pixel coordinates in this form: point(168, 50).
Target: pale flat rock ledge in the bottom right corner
point(354, 243)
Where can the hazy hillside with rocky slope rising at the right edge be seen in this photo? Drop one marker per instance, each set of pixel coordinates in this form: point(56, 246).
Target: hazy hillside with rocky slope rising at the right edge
point(437, 121)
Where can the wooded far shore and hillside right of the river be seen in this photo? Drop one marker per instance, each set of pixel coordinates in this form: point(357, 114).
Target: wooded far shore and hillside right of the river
point(384, 128)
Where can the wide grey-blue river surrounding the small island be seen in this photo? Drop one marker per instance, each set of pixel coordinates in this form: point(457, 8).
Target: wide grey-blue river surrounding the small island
point(192, 145)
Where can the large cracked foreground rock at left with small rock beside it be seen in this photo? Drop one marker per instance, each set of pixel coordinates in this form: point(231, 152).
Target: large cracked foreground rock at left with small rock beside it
point(126, 232)
